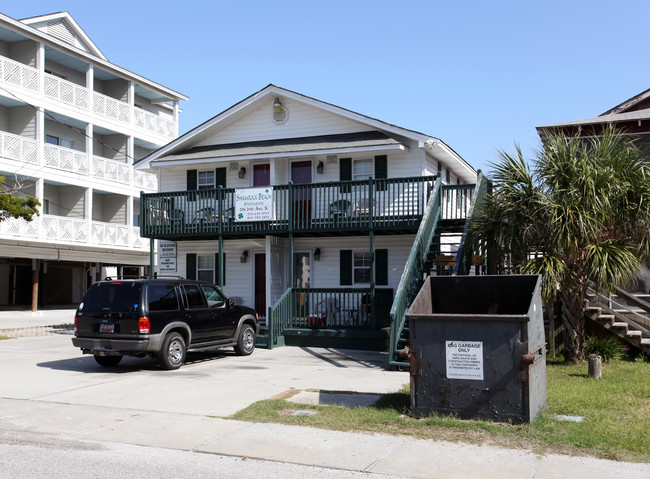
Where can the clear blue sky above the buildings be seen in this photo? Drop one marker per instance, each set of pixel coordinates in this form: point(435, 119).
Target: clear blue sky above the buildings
point(479, 75)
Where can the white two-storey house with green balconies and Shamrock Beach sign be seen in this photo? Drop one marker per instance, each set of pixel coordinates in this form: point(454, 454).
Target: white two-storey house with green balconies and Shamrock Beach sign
point(299, 207)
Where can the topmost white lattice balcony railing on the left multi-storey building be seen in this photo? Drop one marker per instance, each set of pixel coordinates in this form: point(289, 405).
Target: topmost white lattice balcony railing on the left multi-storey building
point(25, 77)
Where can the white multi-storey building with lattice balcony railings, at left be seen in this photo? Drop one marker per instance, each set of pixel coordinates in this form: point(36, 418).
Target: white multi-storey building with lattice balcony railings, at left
point(71, 126)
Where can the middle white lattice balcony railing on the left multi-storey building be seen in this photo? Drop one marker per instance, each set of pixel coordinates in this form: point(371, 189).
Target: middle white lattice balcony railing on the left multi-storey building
point(25, 150)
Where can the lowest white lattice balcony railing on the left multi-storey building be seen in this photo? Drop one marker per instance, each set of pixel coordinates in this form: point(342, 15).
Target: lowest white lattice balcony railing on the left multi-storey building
point(60, 229)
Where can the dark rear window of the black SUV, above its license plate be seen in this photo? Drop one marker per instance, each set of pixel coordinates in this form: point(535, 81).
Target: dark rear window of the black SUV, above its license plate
point(112, 296)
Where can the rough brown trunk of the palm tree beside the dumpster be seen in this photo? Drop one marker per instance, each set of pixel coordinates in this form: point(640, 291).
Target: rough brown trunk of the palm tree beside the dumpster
point(572, 314)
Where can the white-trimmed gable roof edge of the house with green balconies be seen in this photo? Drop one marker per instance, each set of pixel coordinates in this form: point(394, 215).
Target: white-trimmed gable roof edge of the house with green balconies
point(231, 115)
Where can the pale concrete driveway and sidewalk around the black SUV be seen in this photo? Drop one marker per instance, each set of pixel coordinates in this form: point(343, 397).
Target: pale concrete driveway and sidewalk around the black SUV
point(47, 388)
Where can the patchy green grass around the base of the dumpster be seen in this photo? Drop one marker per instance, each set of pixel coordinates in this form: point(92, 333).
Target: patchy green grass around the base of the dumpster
point(616, 411)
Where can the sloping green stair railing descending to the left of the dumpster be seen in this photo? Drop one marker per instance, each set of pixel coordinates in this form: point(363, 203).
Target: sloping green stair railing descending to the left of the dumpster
point(412, 275)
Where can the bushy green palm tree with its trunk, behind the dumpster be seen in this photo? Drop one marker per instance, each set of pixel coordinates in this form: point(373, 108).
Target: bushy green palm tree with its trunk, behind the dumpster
point(579, 216)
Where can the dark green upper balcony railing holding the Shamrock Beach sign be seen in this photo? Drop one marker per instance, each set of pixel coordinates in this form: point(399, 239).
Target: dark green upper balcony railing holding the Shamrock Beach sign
point(386, 206)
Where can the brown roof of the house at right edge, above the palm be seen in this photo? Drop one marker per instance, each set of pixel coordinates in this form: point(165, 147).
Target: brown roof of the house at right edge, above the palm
point(632, 117)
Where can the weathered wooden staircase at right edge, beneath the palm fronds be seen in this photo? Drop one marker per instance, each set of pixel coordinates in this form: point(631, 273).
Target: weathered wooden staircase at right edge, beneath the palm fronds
point(615, 315)
